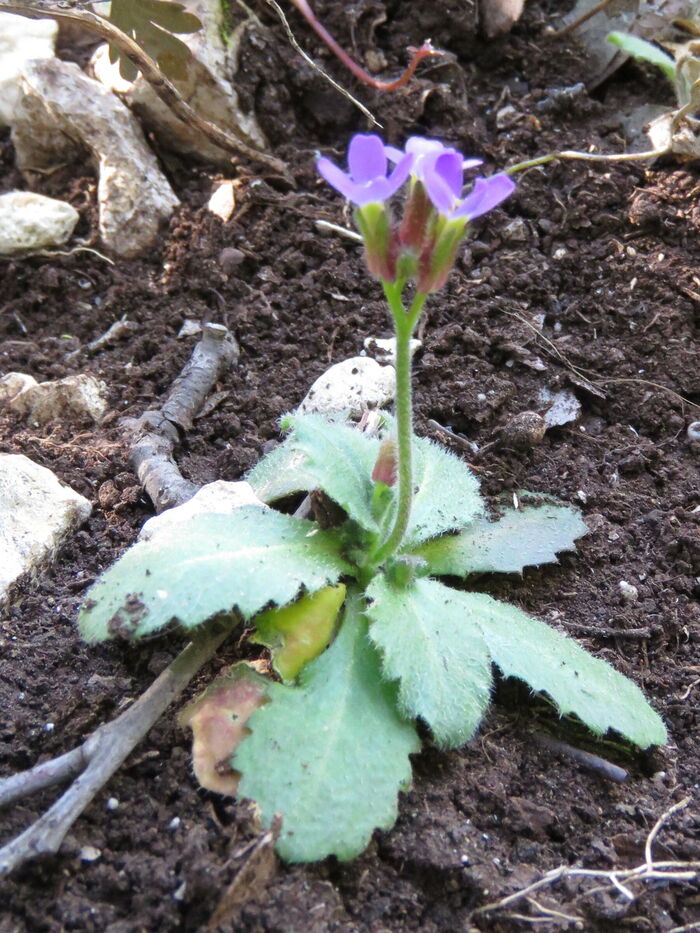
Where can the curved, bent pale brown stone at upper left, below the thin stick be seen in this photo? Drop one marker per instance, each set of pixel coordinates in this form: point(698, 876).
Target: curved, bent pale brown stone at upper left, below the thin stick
point(60, 113)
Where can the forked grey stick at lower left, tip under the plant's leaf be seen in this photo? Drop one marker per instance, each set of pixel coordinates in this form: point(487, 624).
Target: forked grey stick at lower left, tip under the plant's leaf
point(100, 755)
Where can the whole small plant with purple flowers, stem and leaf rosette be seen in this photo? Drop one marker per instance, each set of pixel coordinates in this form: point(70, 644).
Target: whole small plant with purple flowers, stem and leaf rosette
point(364, 637)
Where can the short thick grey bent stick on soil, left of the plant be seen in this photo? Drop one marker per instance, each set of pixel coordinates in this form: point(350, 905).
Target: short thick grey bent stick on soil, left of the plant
point(155, 435)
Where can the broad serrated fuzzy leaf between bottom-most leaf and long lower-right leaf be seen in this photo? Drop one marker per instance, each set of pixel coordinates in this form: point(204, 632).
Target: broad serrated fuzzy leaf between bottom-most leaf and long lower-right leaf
point(437, 653)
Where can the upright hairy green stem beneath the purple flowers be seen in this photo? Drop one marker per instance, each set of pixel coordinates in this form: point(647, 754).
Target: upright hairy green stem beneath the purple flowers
point(404, 324)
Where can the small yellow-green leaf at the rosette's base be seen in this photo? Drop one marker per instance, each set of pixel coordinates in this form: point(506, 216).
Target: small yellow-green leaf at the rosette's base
point(298, 633)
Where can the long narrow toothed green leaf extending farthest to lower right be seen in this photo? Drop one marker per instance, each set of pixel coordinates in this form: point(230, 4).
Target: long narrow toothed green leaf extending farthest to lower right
point(553, 663)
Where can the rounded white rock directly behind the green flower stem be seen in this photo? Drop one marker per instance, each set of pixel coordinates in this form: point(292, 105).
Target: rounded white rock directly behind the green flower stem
point(352, 386)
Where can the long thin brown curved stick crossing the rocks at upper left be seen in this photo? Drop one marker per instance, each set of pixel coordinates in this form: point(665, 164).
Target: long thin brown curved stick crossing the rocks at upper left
point(236, 142)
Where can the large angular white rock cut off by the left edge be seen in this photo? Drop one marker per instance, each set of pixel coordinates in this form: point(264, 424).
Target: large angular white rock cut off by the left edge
point(36, 512)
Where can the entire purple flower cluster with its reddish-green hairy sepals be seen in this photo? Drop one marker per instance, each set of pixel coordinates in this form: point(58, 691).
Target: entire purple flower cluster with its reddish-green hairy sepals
point(423, 245)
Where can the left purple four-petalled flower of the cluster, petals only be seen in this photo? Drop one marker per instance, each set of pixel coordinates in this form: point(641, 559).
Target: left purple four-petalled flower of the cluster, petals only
point(367, 181)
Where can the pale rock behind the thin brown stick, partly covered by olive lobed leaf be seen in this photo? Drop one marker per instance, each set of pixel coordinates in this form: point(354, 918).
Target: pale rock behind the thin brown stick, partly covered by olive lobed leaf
point(206, 89)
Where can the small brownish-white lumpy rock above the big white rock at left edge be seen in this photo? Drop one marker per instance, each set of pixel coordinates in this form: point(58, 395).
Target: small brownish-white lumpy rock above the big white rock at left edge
point(74, 397)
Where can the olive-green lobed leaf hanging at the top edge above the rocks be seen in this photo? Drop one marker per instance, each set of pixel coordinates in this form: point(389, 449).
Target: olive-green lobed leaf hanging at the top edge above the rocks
point(151, 23)
